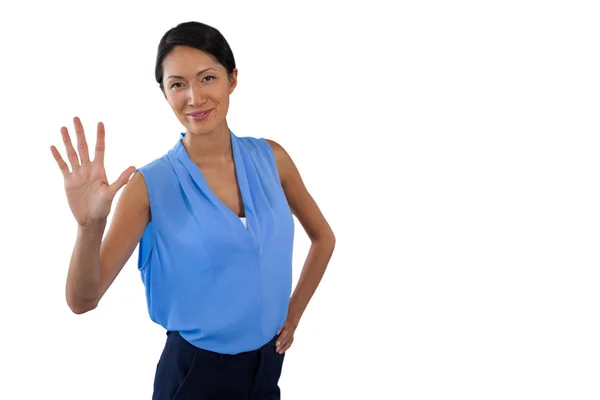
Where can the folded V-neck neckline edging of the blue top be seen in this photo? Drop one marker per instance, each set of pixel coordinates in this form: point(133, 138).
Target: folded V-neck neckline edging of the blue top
point(241, 178)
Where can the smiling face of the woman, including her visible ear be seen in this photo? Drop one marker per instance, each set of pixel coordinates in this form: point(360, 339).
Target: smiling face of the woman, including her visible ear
point(195, 82)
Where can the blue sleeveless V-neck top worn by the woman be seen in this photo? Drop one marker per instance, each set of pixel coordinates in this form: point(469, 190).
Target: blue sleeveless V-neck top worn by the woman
point(224, 287)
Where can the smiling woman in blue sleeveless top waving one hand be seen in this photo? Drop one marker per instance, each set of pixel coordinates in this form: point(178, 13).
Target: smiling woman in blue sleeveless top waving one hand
point(213, 220)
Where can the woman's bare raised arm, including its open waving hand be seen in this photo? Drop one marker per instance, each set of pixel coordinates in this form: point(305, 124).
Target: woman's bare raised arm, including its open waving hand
point(96, 263)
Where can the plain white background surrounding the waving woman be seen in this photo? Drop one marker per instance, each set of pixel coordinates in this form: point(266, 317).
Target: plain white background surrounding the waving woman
point(453, 147)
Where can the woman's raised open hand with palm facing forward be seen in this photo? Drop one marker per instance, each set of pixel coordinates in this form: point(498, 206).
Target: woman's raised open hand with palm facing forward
point(88, 192)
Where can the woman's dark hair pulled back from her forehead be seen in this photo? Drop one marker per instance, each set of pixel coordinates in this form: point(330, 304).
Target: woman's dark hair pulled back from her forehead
point(194, 34)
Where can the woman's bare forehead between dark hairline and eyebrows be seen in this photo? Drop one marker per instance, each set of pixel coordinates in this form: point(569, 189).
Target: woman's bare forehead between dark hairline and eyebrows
point(184, 60)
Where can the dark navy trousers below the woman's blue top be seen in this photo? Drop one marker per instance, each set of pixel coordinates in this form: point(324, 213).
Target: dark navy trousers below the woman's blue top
point(185, 372)
